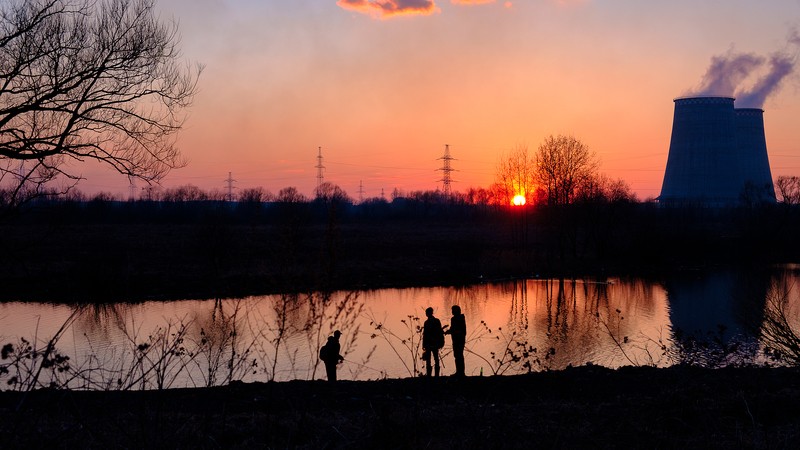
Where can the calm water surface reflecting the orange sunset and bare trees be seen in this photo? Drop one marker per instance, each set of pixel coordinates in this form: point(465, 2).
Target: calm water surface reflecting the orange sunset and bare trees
point(513, 327)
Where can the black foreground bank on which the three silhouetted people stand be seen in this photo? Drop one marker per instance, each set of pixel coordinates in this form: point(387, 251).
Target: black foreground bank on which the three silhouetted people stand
point(586, 407)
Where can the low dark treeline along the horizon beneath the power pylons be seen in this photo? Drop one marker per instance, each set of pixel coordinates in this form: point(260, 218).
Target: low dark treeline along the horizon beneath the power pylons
point(189, 203)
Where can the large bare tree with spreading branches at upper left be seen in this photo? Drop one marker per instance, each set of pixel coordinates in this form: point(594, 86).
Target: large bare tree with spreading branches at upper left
point(88, 80)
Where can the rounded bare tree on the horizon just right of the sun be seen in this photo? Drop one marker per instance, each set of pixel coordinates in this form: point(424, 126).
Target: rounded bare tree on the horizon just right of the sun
point(563, 163)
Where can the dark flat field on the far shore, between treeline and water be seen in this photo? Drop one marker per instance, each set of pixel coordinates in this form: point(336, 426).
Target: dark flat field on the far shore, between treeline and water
point(108, 257)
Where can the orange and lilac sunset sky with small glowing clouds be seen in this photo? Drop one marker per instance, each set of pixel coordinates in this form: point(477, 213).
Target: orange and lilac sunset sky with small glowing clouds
point(382, 86)
